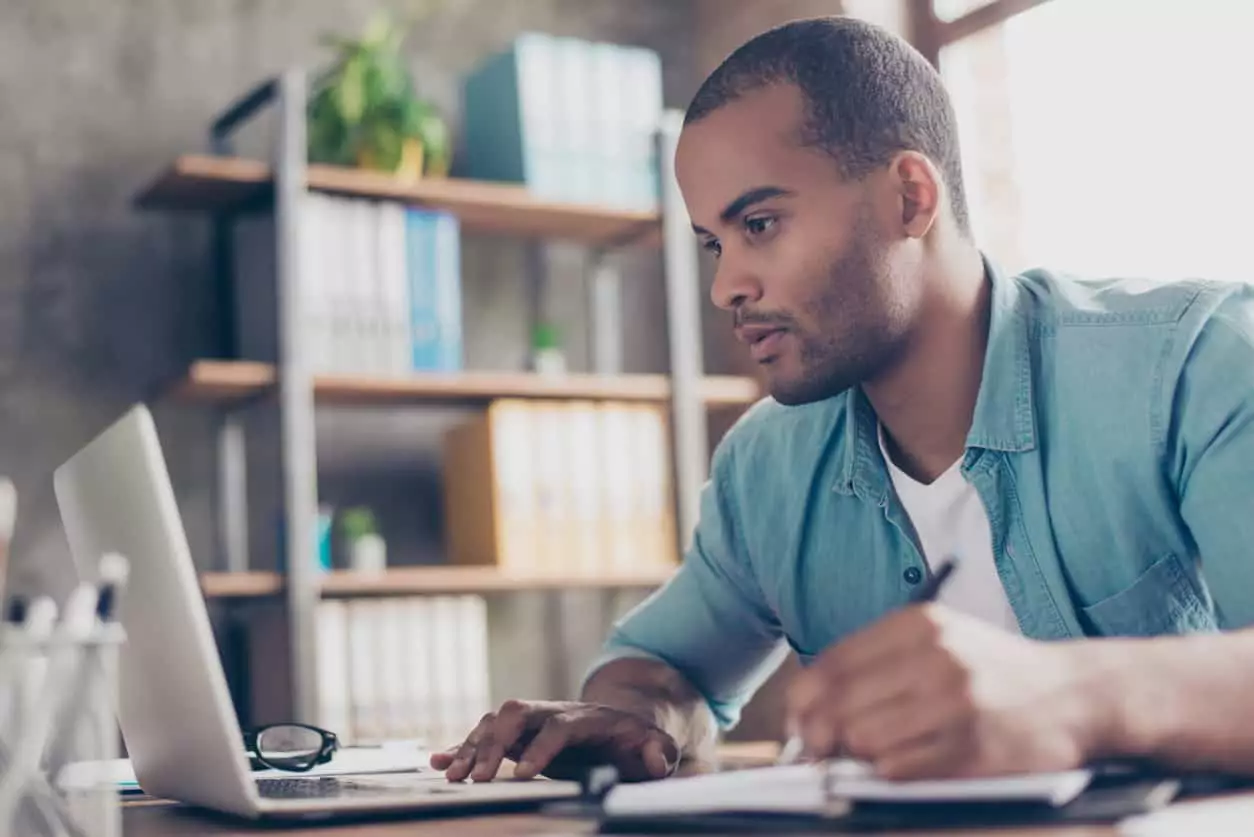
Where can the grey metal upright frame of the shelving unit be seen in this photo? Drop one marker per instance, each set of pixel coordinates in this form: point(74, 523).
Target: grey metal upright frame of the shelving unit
point(288, 95)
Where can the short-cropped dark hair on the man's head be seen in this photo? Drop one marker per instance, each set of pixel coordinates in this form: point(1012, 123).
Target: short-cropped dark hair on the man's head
point(868, 96)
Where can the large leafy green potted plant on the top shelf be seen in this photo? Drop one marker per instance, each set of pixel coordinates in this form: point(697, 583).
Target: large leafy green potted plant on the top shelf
point(364, 112)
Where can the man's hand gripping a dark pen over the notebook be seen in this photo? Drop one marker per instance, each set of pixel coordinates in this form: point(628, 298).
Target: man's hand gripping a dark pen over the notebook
point(929, 692)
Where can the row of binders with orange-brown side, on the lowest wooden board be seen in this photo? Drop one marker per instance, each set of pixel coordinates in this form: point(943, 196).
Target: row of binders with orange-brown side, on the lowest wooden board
point(561, 489)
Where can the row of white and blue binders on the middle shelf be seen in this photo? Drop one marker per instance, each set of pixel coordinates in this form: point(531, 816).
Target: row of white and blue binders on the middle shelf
point(382, 288)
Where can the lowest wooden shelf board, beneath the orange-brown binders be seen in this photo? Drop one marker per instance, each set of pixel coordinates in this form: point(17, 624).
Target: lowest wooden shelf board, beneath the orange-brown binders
point(419, 580)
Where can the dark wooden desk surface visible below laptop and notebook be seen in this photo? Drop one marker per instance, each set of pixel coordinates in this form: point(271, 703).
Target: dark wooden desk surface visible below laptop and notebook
point(162, 820)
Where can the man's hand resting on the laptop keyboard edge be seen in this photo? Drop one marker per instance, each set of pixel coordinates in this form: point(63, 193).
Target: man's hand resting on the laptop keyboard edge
point(561, 741)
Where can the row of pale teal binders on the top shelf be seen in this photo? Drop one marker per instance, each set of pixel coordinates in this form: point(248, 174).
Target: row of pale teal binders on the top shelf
point(571, 120)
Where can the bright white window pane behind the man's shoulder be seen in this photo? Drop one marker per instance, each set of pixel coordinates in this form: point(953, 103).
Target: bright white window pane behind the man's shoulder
point(1112, 137)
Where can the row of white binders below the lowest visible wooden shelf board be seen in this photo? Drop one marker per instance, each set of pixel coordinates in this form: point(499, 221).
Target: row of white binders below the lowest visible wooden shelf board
point(403, 668)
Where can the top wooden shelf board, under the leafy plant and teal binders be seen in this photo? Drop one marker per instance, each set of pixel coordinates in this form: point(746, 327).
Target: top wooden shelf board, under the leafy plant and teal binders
point(228, 184)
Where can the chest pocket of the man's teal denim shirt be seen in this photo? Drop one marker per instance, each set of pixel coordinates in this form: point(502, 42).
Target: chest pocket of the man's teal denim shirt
point(1162, 600)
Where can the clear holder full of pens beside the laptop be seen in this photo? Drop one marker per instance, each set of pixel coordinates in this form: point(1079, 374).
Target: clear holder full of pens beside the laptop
point(58, 732)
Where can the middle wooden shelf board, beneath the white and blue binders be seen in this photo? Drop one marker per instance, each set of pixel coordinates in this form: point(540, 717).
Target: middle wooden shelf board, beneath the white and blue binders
point(226, 381)
